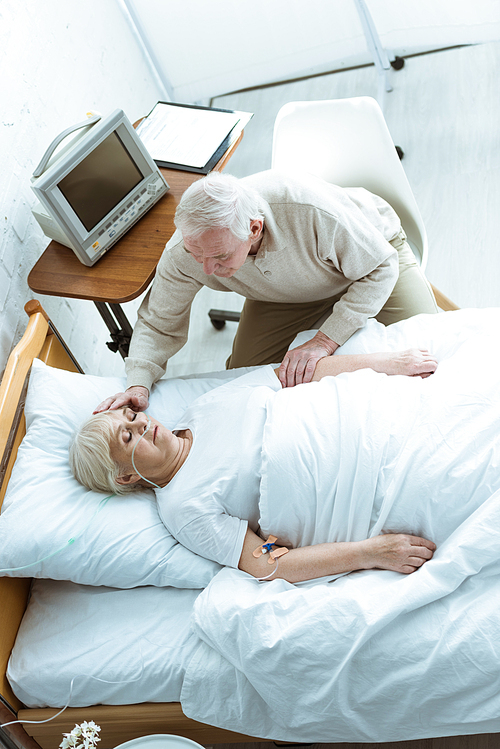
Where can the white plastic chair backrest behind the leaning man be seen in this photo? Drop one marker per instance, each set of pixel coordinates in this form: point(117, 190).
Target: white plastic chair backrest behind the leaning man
point(347, 142)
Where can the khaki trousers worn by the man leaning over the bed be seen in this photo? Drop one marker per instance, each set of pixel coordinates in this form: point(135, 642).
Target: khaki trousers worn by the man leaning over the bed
point(266, 329)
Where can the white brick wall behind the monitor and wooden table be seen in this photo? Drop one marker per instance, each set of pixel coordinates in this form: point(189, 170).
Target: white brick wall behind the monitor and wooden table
point(58, 58)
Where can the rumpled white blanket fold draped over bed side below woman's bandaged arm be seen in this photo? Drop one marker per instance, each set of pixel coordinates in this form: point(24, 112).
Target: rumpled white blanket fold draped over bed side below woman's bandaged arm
point(372, 657)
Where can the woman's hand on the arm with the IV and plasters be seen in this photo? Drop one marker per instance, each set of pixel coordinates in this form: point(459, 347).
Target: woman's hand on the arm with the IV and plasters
point(397, 551)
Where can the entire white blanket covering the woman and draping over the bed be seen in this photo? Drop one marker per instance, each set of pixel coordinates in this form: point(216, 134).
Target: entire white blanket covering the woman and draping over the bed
point(375, 655)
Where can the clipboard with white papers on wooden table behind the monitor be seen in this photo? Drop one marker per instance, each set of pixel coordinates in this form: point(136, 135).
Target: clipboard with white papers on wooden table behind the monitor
point(189, 137)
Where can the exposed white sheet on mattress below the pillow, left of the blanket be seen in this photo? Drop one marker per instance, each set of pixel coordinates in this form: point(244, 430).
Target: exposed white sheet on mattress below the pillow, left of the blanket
point(85, 645)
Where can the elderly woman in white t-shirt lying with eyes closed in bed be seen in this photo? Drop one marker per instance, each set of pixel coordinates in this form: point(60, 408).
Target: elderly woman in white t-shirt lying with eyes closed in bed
point(207, 473)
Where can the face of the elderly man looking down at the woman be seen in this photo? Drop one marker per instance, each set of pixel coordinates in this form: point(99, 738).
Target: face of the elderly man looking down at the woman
point(220, 252)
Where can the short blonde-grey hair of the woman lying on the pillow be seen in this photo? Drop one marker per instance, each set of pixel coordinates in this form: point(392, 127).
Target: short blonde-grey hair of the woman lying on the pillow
point(90, 456)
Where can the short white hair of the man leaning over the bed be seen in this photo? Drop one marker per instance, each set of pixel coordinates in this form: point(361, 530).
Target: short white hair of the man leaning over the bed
point(218, 200)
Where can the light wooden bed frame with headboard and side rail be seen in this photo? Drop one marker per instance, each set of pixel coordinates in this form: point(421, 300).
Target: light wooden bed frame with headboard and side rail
point(121, 722)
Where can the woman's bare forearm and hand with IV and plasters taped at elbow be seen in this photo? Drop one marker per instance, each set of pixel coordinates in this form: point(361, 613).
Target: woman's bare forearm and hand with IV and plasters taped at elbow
point(391, 551)
